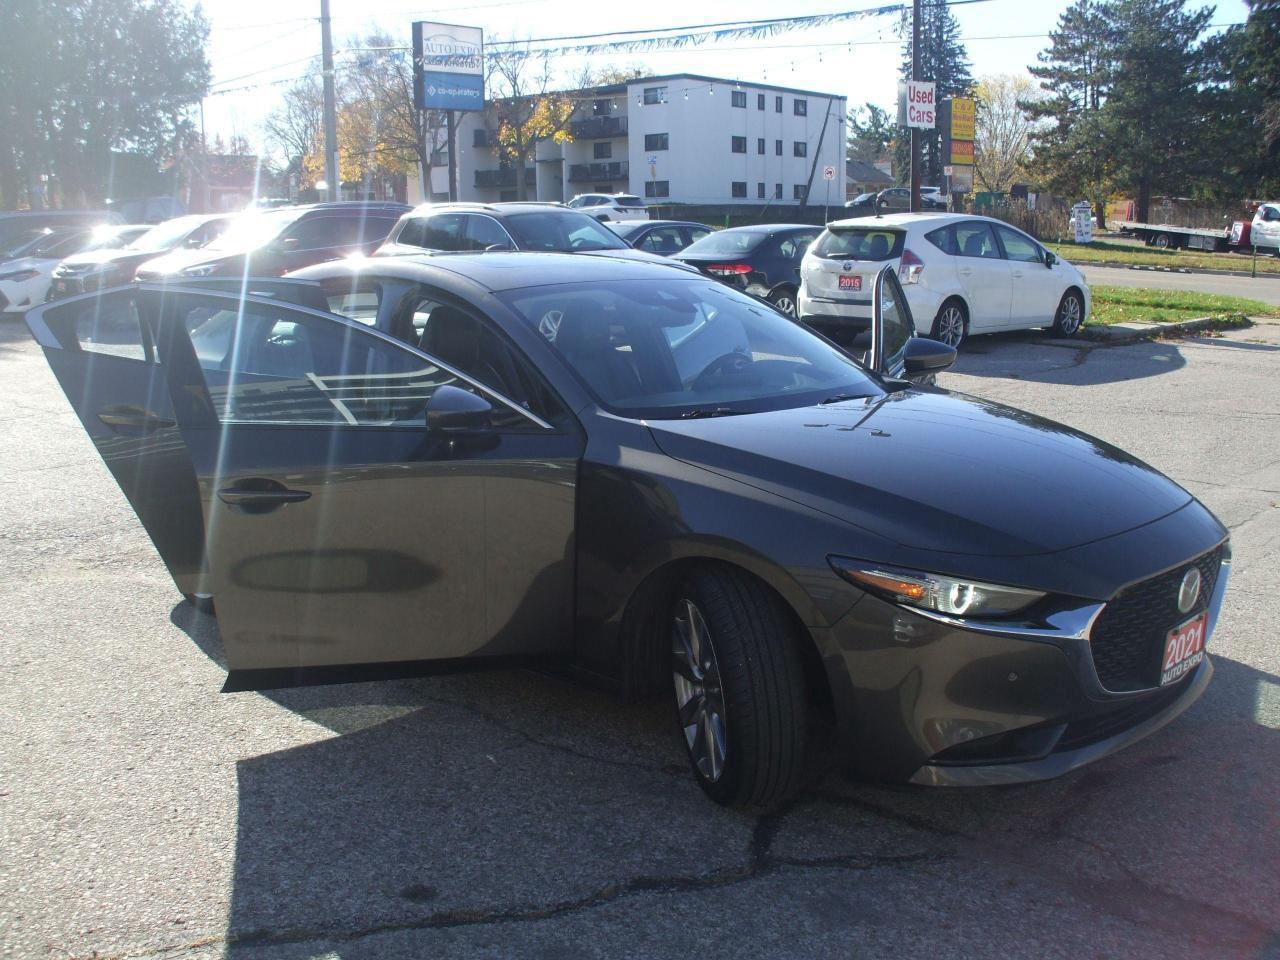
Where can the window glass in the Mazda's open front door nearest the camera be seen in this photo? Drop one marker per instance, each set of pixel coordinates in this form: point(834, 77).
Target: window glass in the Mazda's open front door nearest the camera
point(267, 363)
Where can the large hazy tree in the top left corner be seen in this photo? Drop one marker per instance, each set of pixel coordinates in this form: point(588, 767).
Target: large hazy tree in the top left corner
point(84, 79)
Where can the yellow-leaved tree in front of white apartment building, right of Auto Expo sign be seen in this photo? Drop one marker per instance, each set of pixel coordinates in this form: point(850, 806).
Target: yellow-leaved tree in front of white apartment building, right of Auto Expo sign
point(523, 108)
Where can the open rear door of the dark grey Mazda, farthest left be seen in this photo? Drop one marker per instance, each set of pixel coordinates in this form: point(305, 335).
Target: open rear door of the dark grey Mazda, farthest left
point(102, 350)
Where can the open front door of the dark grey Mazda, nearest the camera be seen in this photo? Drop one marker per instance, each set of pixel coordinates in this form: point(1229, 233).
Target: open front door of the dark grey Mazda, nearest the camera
point(371, 510)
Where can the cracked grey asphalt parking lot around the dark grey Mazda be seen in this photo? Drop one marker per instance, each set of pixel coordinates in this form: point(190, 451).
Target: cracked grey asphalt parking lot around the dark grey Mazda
point(145, 815)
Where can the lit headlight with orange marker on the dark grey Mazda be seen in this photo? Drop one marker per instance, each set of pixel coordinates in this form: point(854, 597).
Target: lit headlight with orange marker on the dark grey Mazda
point(935, 592)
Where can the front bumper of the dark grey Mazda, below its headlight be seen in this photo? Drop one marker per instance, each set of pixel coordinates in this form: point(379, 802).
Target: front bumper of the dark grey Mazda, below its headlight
point(935, 702)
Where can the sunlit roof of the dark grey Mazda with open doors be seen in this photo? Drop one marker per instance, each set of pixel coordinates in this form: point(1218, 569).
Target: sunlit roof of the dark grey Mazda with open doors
point(497, 272)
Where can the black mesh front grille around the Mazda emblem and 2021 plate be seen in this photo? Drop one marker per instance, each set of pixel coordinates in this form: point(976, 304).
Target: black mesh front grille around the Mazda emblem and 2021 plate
point(1128, 639)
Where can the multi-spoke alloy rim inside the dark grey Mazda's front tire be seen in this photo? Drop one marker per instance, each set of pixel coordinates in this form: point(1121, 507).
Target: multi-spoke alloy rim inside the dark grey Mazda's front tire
point(700, 693)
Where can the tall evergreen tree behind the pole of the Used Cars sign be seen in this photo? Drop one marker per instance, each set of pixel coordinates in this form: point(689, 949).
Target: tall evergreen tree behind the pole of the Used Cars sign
point(944, 61)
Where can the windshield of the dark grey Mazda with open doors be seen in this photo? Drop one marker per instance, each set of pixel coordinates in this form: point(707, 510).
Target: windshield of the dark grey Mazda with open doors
point(687, 348)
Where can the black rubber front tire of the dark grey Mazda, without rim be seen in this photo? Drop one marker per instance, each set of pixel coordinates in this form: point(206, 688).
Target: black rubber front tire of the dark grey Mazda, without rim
point(762, 688)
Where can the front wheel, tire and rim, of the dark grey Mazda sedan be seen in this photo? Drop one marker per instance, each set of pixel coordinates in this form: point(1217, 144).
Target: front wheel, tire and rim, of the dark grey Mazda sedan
point(740, 694)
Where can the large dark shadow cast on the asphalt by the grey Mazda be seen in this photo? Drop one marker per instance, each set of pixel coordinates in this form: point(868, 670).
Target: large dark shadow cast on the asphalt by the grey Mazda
point(452, 810)
